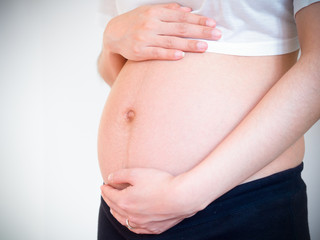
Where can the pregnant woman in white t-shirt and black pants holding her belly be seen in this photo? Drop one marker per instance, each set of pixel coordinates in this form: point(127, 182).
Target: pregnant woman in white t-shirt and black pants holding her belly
point(201, 136)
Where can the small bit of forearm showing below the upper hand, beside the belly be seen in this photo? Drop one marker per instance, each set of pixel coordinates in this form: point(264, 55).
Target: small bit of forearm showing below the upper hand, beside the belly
point(109, 65)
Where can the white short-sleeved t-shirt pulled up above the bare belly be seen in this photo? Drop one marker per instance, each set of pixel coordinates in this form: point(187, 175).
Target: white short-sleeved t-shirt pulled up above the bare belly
point(249, 27)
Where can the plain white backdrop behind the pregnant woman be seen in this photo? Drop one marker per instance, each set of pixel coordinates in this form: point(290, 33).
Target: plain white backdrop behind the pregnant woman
point(51, 98)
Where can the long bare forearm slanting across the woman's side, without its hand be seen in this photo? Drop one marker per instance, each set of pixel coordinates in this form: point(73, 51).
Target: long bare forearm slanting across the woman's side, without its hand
point(285, 113)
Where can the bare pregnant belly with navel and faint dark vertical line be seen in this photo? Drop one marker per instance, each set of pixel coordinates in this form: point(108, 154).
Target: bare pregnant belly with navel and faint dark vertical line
point(171, 115)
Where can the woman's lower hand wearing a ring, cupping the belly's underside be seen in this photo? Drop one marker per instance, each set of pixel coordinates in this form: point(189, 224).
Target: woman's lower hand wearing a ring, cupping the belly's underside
point(152, 203)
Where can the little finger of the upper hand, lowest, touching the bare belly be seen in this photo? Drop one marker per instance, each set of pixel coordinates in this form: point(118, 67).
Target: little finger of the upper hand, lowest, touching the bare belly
point(158, 53)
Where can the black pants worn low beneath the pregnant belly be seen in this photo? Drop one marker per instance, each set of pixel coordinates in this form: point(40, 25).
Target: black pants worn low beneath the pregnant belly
point(271, 208)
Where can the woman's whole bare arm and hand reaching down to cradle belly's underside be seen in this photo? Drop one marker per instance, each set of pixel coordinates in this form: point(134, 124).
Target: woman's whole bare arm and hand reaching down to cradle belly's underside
point(283, 115)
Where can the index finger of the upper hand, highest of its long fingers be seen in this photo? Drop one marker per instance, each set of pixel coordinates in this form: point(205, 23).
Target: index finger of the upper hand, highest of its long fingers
point(172, 15)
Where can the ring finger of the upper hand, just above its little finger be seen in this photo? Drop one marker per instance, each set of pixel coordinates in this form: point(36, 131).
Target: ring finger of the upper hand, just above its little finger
point(182, 44)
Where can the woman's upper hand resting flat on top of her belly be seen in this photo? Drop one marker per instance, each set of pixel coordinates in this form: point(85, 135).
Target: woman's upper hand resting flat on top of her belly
point(158, 32)
